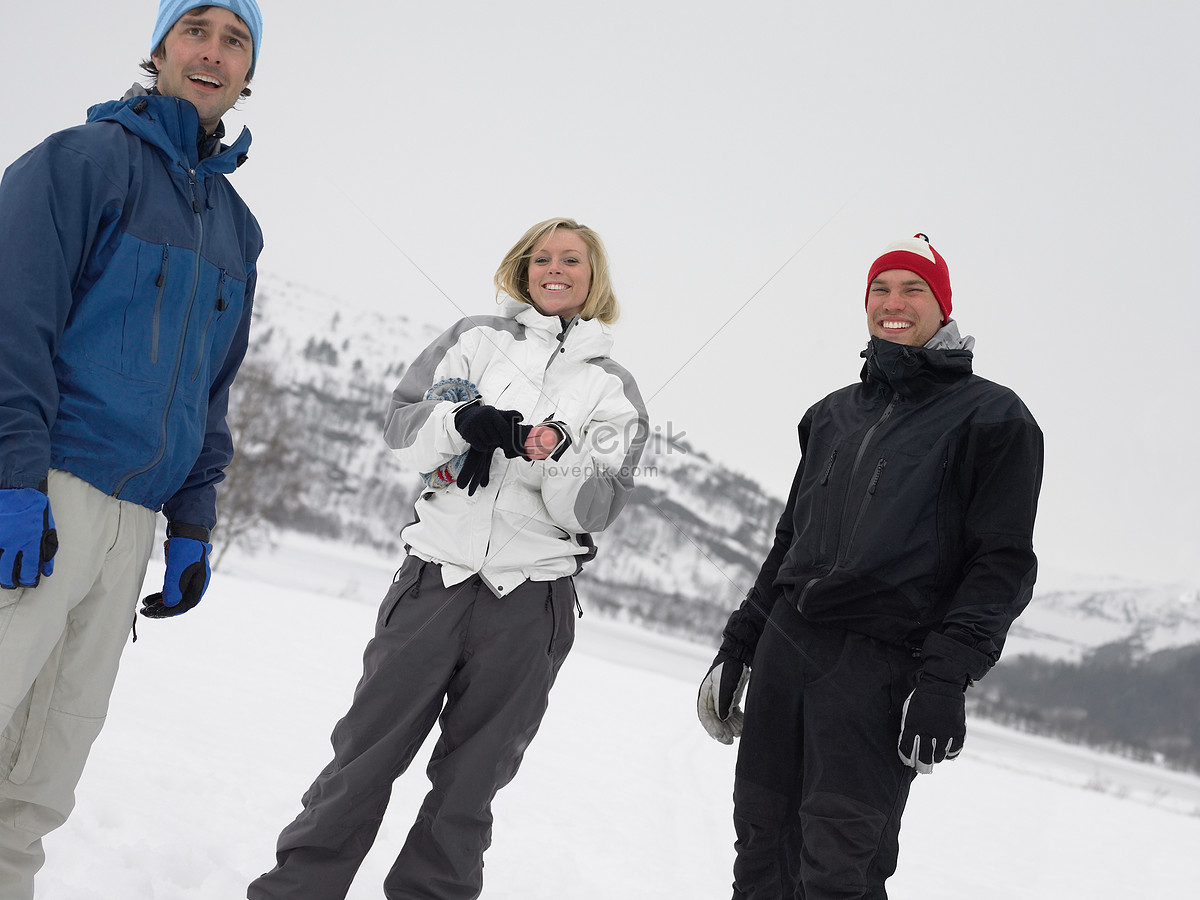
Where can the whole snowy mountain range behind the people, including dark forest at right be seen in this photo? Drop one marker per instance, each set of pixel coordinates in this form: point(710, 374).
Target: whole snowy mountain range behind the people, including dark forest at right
point(308, 419)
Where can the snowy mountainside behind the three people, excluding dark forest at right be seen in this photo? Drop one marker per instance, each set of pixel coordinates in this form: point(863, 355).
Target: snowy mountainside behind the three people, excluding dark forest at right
point(679, 560)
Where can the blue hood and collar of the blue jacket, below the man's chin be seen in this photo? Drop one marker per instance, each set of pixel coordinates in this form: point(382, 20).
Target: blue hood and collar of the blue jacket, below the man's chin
point(173, 127)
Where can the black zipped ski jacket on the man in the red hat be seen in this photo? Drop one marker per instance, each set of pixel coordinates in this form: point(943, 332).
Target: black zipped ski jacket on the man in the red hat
point(911, 512)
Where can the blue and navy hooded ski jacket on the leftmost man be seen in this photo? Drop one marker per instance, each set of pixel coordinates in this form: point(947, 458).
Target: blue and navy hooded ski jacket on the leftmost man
point(128, 269)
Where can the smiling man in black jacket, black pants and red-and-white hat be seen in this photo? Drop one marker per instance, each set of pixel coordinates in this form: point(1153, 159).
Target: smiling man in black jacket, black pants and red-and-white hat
point(903, 556)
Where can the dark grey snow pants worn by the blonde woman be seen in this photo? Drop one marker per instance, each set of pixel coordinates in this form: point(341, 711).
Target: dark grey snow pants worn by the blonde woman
point(487, 665)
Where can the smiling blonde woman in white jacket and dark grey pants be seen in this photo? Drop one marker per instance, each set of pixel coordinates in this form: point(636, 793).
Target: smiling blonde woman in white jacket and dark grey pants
point(481, 616)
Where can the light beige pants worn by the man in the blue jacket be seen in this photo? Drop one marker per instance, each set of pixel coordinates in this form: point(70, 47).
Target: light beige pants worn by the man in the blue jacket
point(61, 646)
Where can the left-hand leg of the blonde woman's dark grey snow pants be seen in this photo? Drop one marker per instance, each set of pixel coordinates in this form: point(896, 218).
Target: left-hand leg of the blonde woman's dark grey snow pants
point(419, 643)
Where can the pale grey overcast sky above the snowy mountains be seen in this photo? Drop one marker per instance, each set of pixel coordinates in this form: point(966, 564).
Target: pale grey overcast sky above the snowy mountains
point(1049, 149)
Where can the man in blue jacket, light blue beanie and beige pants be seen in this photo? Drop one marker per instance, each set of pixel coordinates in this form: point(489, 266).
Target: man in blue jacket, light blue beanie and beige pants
point(128, 268)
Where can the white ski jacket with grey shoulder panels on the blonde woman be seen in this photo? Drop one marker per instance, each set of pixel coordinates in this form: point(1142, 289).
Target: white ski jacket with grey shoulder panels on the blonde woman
point(535, 519)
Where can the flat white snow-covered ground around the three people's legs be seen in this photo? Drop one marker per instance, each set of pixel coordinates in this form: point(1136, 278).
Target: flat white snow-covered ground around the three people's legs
point(221, 721)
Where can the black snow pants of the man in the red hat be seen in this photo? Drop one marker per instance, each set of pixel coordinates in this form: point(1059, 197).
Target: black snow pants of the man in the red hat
point(820, 788)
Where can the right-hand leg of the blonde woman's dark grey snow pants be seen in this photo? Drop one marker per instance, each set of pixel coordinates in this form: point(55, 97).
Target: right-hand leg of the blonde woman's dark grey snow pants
point(494, 709)
